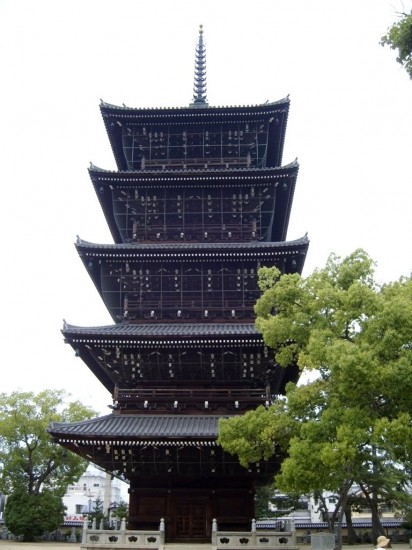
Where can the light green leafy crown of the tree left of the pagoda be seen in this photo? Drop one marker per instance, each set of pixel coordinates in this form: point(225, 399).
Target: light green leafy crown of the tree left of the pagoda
point(29, 461)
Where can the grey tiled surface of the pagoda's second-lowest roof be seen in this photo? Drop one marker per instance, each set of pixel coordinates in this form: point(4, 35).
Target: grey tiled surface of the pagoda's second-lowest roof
point(241, 330)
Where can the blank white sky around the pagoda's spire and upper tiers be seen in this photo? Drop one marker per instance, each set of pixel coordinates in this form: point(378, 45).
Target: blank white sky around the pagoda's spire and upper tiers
point(350, 126)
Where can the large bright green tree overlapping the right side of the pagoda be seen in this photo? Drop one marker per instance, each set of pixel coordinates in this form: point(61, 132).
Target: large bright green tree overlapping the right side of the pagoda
point(352, 424)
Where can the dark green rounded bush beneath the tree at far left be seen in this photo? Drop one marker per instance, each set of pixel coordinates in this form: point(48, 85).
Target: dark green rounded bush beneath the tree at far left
point(31, 515)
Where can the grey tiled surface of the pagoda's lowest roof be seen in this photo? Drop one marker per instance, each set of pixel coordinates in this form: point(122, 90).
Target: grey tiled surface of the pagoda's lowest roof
point(151, 427)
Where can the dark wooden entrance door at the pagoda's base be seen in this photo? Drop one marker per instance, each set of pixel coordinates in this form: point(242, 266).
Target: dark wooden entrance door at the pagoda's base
point(192, 519)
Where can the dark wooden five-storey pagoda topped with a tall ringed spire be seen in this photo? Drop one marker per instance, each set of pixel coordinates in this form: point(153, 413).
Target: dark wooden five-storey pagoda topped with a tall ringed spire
point(198, 203)
